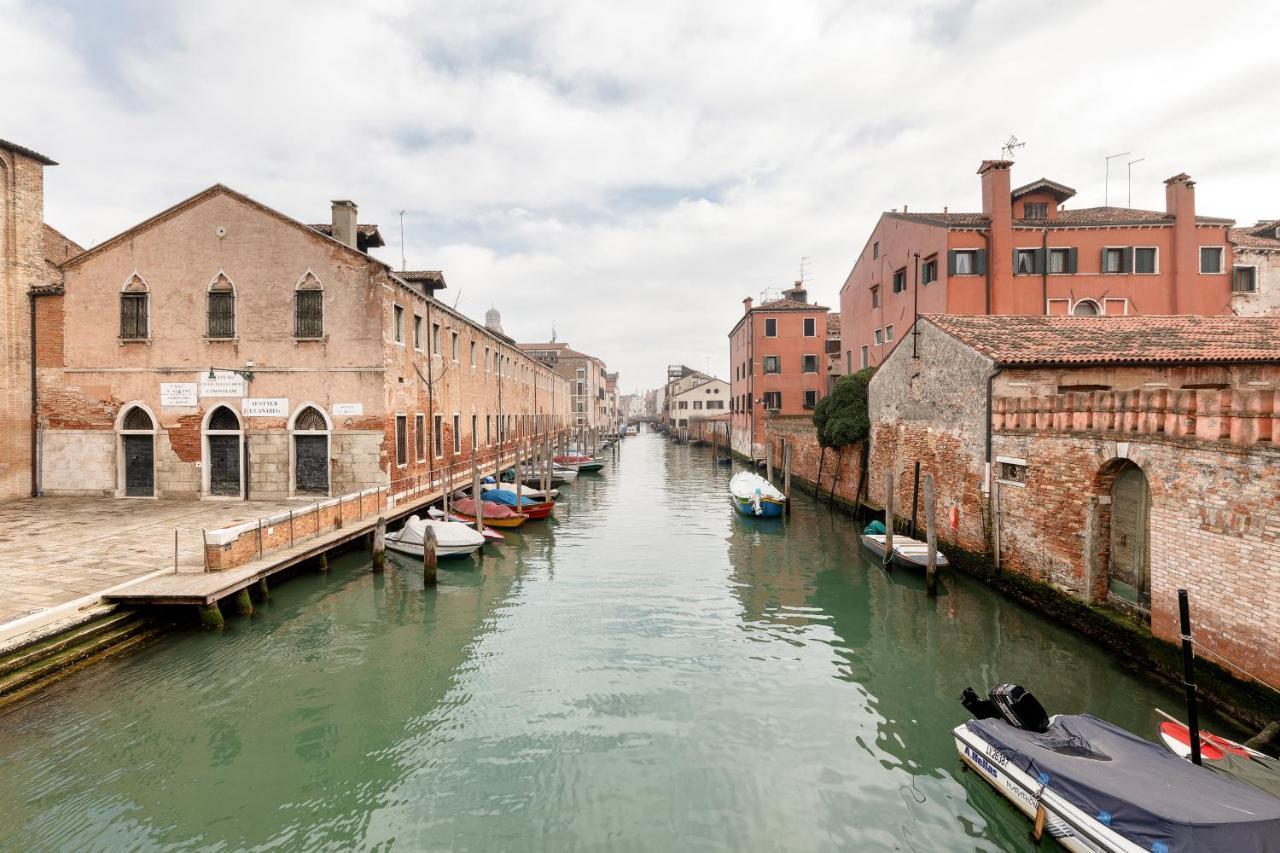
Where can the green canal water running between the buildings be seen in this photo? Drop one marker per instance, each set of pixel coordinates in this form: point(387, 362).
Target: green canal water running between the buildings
point(650, 672)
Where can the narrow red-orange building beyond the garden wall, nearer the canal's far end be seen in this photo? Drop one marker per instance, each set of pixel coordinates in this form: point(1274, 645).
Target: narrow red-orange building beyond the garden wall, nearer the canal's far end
point(778, 358)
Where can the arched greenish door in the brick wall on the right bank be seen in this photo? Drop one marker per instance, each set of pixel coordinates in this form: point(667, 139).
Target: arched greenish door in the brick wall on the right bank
point(1130, 564)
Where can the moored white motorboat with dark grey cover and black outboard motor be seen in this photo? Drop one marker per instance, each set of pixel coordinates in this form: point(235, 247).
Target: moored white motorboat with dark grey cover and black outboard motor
point(1096, 787)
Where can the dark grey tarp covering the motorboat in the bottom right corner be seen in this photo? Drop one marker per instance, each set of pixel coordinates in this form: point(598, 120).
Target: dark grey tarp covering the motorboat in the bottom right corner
point(1141, 791)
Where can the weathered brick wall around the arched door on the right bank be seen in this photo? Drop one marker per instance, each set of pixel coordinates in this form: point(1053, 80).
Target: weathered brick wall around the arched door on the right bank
point(1214, 531)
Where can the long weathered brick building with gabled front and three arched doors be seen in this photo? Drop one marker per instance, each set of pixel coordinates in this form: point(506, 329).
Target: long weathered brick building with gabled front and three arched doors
point(222, 349)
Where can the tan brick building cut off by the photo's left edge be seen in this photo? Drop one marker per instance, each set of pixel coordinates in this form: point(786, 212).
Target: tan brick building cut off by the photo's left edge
point(30, 252)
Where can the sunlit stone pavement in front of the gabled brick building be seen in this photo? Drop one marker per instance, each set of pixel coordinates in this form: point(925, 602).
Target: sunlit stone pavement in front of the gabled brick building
point(57, 550)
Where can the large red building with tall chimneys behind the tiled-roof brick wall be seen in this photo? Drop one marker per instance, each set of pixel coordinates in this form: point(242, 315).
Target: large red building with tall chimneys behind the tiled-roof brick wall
point(1027, 254)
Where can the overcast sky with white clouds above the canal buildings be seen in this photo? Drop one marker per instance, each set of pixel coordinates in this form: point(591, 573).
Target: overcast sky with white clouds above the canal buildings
point(630, 172)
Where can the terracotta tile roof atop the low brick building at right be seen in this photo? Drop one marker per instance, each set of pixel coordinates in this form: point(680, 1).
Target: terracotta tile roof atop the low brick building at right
point(1117, 340)
